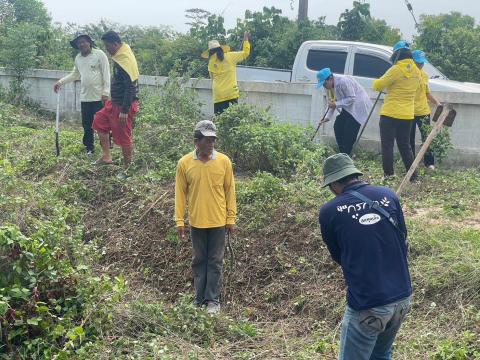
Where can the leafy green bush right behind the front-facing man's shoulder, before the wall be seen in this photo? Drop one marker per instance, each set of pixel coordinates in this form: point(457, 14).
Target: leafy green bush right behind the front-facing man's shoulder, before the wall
point(255, 142)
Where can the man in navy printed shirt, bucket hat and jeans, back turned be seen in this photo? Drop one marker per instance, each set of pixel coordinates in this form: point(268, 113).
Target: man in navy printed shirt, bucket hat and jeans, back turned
point(372, 252)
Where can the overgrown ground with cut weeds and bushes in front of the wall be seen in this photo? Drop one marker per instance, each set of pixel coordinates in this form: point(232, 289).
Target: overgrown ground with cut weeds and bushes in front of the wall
point(114, 281)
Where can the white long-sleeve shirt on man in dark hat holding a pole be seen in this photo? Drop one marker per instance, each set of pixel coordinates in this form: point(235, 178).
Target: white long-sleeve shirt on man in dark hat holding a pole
point(93, 71)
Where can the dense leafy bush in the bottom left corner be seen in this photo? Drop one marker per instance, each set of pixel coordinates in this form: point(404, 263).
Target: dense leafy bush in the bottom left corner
point(43, 295)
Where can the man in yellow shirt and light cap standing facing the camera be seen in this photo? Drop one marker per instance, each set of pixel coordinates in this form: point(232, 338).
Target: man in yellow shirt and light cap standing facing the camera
point(205, 182)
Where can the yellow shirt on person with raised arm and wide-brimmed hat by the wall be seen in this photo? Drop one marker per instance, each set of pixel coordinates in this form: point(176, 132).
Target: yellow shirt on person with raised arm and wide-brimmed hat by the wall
point(224, 74)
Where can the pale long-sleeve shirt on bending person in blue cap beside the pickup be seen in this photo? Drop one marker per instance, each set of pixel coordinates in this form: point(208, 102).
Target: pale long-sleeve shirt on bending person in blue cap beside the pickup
point(352, 97)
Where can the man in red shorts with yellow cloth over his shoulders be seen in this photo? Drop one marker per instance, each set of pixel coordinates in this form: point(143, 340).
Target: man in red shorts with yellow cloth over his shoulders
point(118, 114)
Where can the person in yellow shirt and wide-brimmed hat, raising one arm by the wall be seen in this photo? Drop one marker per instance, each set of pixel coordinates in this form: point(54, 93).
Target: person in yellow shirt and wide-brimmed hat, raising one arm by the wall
point(222, 67)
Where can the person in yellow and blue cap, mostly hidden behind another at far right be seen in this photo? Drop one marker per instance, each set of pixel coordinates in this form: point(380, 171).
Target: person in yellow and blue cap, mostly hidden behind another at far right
point(422, 110)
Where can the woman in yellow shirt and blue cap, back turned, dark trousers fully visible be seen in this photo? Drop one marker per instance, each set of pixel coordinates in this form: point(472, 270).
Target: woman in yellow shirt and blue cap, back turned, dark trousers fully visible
point(400, 83)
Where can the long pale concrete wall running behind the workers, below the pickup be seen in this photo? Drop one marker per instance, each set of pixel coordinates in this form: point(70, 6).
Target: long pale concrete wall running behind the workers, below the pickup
point(294, 103)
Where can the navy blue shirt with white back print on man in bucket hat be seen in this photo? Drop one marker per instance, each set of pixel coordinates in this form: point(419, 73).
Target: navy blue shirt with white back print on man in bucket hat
point(371, 252)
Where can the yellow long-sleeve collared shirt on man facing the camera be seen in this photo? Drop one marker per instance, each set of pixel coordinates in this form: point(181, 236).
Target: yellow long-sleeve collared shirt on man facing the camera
point(208, 189)
